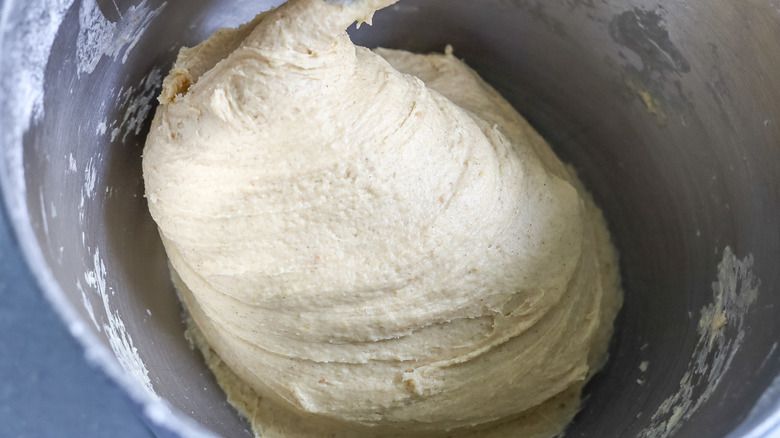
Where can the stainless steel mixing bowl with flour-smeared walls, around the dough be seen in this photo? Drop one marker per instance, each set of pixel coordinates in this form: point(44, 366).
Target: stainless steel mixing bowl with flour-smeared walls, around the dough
point(669, 110)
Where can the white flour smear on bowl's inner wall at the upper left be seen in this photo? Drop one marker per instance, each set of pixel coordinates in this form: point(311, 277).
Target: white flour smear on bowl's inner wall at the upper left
point(100, 37)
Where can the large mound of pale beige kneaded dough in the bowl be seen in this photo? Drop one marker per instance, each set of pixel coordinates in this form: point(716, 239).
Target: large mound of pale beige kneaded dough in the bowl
point(374, 242)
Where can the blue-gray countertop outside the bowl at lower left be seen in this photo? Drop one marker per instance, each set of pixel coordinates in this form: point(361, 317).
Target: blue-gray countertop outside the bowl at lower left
point(47, 388)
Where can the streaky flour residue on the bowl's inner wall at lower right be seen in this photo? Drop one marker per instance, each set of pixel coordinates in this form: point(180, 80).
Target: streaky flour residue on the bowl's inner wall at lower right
point(721, 332)
